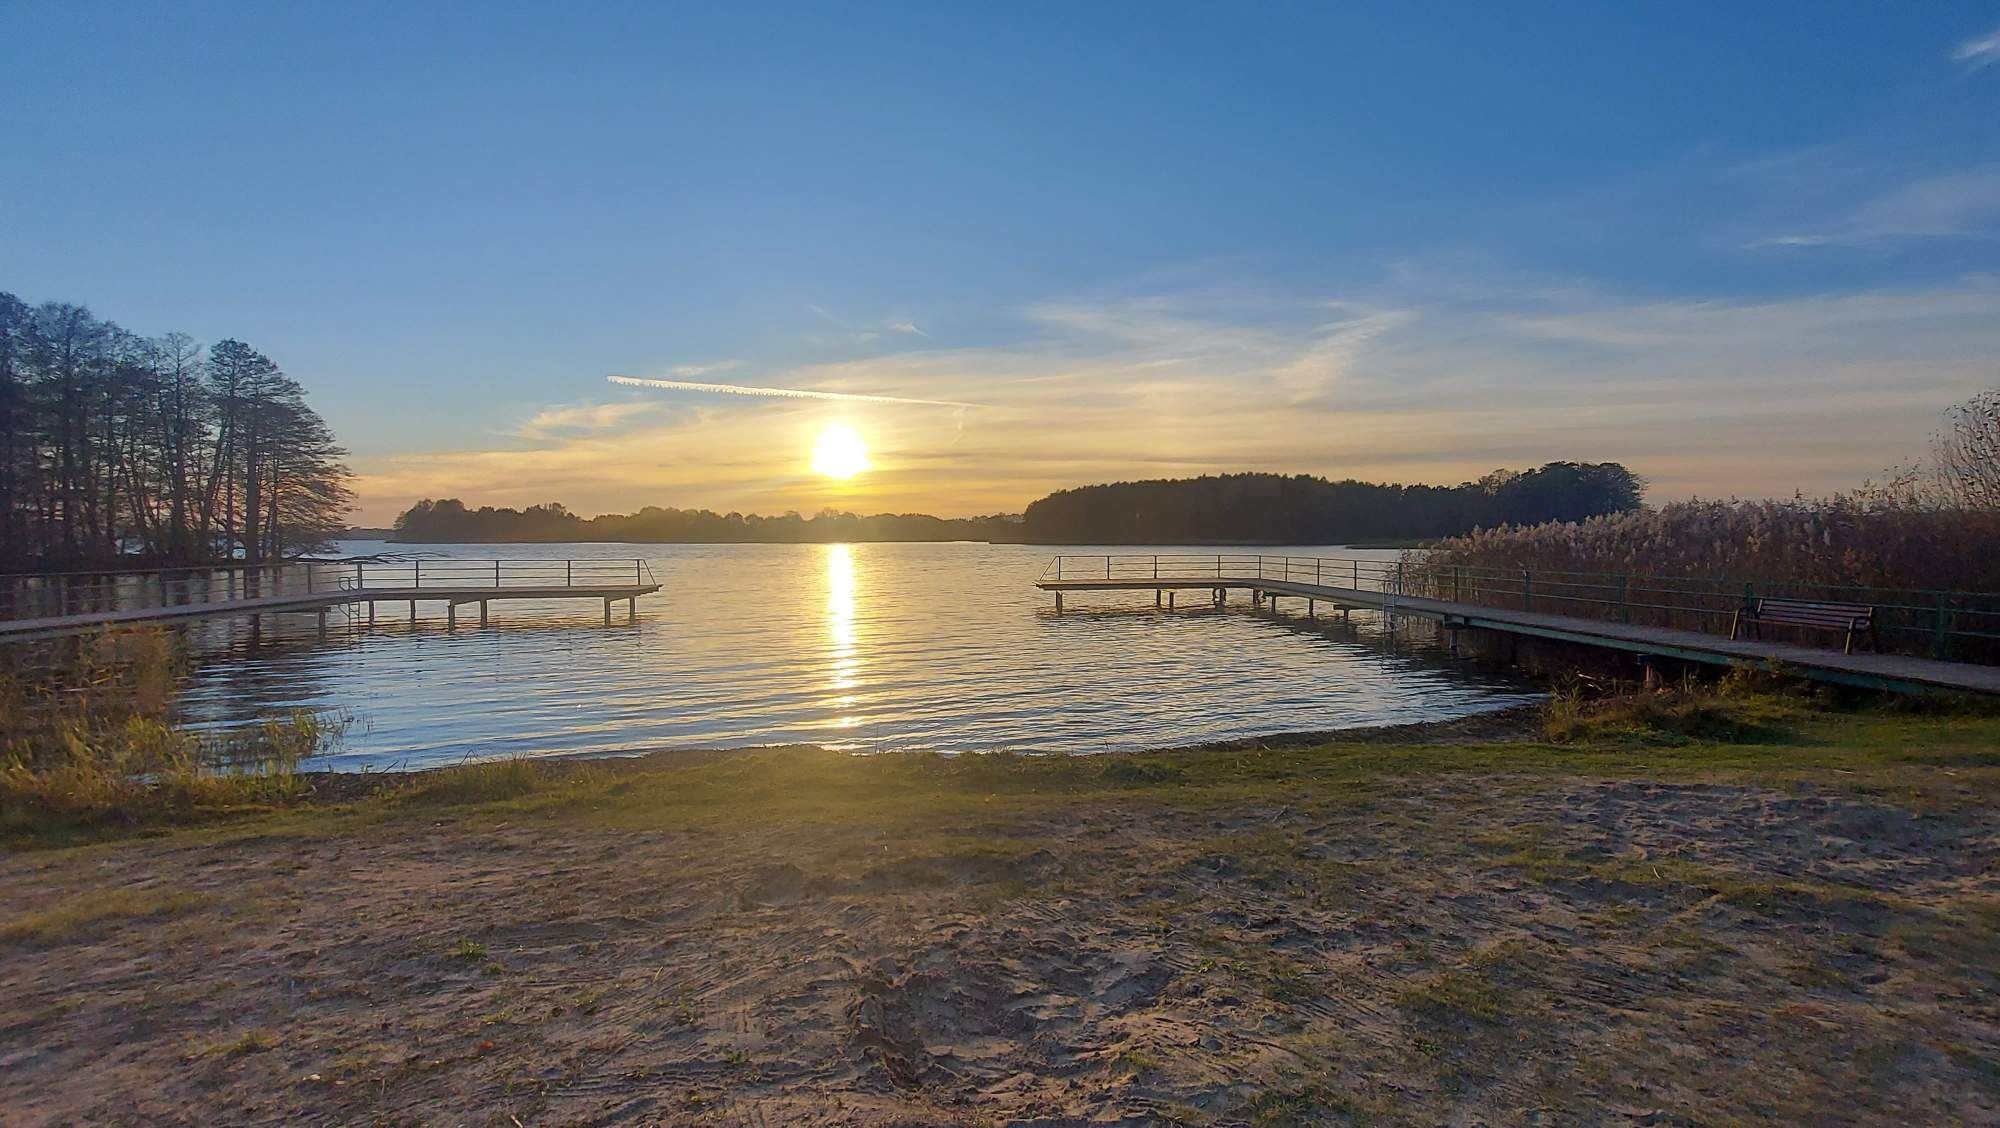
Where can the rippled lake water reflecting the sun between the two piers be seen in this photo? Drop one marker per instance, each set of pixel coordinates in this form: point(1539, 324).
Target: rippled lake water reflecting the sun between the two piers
point(867, 647)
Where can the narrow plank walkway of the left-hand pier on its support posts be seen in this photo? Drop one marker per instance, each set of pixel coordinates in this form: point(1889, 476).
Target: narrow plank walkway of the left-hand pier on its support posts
point(453, 591)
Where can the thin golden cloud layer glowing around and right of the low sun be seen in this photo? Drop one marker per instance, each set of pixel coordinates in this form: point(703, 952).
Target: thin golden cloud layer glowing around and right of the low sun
point(1403, 381)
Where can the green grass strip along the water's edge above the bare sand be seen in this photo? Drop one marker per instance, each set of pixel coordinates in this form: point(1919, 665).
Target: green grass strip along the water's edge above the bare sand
point(1743, 729)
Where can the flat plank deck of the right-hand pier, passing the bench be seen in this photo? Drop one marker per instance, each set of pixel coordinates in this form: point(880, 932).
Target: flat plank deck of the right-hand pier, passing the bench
point(1871, 671)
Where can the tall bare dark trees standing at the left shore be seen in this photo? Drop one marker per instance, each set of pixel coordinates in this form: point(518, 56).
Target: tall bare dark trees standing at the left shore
point(121, 449)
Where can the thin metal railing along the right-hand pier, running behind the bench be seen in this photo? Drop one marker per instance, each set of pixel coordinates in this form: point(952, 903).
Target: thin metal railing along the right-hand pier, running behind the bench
point(1909, 621)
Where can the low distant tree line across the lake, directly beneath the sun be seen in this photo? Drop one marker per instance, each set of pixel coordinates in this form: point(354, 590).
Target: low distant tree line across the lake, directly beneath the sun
point(451, 523)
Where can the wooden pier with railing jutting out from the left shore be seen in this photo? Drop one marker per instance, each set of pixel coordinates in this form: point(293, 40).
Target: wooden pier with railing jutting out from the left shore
point(323, 587)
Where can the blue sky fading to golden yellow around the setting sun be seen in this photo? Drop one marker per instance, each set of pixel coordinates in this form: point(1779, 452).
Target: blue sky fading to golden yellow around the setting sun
point(1747, 251)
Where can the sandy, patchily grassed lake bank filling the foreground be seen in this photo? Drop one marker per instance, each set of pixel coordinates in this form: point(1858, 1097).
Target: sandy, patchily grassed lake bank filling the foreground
point(1685, 909)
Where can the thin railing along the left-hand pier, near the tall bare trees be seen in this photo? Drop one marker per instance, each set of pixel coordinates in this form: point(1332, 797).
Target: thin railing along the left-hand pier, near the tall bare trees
point(109, 591)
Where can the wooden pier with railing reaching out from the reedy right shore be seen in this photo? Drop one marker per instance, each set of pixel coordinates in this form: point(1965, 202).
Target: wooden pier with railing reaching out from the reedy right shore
point(1379, 587)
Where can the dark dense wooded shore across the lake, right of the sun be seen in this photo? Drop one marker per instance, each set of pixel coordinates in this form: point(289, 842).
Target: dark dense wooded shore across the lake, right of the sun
point(1301, 509)
